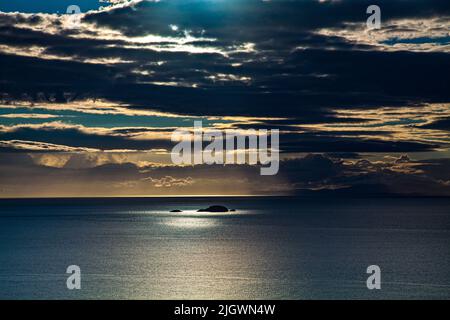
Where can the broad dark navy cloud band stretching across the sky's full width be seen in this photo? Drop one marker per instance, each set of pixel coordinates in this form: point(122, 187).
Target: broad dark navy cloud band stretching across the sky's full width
point(358, 79)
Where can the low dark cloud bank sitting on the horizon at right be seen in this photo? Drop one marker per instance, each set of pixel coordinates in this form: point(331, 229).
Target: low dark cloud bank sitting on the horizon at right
point(363, 177)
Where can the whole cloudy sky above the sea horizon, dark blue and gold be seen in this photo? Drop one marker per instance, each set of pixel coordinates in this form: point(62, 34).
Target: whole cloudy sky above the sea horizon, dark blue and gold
point(89, 110)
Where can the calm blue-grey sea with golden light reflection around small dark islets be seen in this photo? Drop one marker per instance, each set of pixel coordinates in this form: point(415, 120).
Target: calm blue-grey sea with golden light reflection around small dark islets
point(270, 248)
